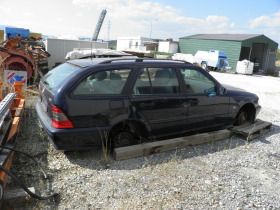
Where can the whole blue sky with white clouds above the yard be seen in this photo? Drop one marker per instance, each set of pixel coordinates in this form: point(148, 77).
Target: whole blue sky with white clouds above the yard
point(168, 18)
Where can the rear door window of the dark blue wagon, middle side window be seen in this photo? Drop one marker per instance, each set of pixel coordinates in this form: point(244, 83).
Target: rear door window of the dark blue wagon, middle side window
point(156, 81)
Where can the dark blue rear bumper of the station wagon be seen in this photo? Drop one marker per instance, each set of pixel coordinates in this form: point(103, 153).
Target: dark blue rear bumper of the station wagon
point(73, 138)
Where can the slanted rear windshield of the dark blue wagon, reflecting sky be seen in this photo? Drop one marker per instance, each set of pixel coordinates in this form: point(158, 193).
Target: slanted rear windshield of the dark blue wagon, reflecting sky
point(54, 77)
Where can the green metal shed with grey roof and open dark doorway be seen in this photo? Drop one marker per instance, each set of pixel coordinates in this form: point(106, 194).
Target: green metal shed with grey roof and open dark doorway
point(254, 47)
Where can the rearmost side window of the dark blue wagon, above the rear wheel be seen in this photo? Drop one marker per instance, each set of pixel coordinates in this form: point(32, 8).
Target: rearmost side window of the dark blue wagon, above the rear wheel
point(103, 83)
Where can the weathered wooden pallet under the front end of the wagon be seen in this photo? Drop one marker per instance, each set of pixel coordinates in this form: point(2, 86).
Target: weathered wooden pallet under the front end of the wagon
point(251, 131)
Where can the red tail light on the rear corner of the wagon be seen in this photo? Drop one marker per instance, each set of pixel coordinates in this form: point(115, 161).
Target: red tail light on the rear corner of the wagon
point(59, 119)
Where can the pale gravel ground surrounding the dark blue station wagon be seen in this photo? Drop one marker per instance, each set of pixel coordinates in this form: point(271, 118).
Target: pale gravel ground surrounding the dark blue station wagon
point(228, 174)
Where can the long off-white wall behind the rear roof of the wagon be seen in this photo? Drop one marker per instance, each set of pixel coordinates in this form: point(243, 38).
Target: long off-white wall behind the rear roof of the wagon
point(58, 48)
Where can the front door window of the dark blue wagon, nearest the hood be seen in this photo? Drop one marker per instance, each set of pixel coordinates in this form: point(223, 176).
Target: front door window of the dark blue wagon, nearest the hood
point(196, 82)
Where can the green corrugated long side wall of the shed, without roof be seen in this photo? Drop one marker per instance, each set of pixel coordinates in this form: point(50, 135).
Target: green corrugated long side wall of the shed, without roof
point(231, 48)
